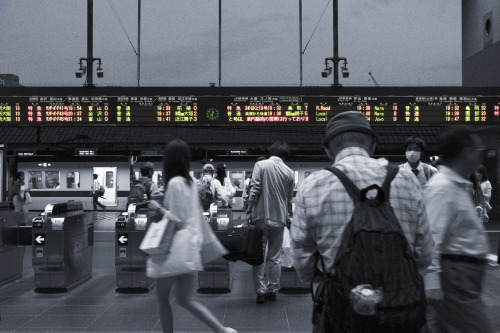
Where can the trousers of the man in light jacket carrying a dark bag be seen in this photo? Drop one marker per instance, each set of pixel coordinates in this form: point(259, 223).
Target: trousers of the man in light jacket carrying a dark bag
point(272, 242)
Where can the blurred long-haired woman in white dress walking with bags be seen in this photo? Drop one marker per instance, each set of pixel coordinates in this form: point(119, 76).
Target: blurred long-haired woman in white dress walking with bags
point(181, 200)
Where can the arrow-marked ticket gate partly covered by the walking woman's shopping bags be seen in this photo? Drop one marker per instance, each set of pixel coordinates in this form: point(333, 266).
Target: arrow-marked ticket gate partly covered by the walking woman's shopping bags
point(130, 262)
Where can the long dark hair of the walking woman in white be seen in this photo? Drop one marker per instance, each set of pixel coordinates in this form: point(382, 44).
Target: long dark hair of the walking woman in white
point(176, 161)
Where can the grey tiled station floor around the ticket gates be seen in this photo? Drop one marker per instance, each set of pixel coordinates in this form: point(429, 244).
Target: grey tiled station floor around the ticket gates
point(94, 306)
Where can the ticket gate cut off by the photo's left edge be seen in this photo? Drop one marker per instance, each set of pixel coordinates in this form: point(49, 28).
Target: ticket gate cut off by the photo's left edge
point(11, 254)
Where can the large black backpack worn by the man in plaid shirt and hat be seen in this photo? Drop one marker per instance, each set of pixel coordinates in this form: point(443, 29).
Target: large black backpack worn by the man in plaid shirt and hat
point(374, 251)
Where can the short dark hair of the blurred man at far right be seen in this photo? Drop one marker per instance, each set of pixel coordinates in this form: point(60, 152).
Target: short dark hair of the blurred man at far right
point(453, 140)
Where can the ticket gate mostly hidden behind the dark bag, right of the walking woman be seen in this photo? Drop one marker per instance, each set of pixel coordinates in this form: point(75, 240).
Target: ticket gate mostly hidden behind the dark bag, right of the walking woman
point(218, 274)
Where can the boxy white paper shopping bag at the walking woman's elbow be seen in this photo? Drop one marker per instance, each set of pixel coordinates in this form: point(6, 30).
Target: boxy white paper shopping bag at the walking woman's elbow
point(158, 237)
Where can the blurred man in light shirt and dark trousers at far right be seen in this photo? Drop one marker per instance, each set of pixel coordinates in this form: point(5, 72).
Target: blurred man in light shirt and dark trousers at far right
point(454, 281)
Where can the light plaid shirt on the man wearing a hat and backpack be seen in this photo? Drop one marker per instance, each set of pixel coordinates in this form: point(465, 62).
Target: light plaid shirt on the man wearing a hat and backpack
point(323, 208)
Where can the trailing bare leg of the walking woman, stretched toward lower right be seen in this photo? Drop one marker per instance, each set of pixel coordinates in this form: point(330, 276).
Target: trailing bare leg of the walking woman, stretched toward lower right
point(184, 297)
